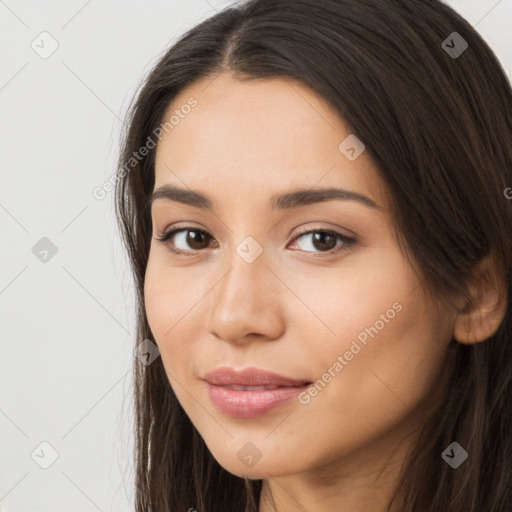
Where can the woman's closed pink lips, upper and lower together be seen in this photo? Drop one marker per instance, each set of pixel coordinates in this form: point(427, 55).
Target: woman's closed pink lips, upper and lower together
point(251, 392)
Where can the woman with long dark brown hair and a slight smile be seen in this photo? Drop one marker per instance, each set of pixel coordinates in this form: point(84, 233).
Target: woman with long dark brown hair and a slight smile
point(313, 199)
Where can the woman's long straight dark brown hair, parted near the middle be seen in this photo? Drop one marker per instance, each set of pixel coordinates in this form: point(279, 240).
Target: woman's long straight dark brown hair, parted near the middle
point(440, 131)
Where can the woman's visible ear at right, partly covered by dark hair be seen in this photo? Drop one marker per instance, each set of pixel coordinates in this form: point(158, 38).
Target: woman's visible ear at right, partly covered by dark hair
point(480, 318)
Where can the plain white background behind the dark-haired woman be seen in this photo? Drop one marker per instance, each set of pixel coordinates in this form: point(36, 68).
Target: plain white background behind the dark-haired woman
point(67, 324)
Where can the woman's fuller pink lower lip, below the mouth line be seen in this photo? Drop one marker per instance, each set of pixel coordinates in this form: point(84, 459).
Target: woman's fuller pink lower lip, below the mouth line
point(251, 404)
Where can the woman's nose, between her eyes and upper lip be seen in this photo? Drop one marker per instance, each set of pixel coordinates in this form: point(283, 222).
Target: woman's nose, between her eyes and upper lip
point(245, 304)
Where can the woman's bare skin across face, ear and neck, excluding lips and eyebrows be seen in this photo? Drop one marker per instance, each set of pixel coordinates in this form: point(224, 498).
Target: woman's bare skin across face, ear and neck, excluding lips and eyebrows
point(296, 308)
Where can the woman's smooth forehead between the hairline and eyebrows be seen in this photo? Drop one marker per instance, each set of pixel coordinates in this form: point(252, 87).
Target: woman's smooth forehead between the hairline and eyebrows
point(256, 135)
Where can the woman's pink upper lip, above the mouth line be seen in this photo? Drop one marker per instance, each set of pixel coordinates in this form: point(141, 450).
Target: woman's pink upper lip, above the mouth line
point(250, 377)
